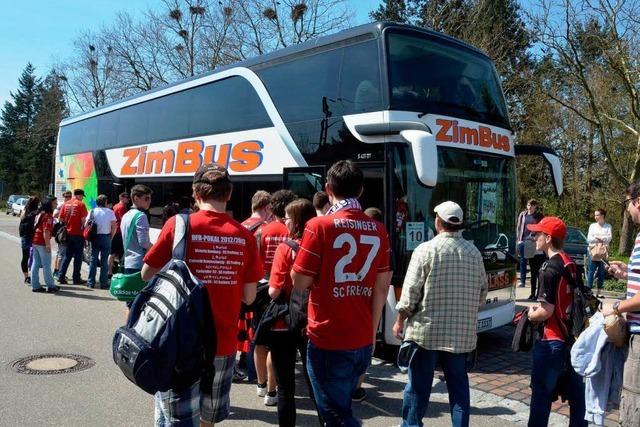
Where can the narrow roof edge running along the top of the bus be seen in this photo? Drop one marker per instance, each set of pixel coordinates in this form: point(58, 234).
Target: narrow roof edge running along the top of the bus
point(374, 29)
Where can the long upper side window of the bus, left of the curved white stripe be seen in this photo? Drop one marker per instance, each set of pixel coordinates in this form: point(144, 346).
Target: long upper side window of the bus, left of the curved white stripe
point(227, 105)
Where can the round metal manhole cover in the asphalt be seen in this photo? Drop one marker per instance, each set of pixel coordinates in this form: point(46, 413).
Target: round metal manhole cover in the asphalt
point(50, 364)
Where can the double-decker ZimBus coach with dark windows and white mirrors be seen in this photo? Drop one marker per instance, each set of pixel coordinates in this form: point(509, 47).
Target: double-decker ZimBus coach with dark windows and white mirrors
point(421, 113)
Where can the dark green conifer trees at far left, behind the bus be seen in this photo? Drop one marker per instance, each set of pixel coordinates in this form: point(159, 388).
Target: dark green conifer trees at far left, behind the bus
point(28, 130)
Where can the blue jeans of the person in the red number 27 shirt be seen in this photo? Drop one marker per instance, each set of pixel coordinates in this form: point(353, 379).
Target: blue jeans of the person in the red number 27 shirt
point(334, 376)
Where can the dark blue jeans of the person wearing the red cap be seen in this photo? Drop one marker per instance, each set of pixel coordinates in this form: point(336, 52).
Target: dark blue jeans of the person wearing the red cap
point(550, 360)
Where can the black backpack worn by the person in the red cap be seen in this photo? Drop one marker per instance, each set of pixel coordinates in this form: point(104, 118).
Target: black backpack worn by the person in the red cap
point(583, 304)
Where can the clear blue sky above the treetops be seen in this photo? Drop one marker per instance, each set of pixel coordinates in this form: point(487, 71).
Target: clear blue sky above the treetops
point(42, 31)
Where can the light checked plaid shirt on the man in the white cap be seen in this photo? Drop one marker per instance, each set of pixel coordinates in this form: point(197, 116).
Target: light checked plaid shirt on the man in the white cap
point(444, 286)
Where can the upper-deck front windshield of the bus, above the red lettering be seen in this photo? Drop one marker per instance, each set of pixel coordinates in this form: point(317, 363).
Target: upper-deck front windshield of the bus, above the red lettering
point(438, 77)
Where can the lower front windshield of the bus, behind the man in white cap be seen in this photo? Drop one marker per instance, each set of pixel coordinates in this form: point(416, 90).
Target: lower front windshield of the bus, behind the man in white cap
point(481, 184)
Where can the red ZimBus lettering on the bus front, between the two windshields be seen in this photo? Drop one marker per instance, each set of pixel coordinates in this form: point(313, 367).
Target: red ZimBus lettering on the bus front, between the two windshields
point(450, 131)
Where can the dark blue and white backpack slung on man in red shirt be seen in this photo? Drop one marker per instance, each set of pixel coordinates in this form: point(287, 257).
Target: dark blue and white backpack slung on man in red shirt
point(169, 340)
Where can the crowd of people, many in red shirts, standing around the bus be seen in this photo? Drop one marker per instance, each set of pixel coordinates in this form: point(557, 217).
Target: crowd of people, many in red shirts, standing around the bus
point(335, 257)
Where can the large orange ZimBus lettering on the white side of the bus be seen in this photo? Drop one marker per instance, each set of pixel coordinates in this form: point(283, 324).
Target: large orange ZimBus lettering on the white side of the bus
point(188, 156)
